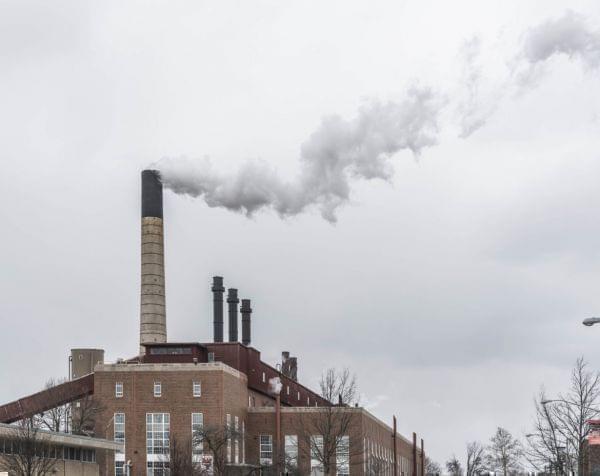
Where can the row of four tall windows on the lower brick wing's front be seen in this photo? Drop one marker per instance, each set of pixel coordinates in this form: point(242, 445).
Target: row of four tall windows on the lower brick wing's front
point(316, 453)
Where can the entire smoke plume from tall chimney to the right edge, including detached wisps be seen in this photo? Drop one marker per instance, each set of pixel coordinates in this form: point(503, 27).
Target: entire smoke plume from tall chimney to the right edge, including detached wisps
point(341, 151)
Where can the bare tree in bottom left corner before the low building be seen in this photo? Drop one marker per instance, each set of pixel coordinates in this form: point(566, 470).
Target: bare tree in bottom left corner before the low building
point(31, 454)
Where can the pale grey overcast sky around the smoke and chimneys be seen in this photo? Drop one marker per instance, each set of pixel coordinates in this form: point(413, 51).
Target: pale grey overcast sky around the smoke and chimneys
point(454, 289)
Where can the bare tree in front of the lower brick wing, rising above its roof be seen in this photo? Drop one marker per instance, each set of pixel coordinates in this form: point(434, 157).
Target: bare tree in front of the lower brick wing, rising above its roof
point(330, 429)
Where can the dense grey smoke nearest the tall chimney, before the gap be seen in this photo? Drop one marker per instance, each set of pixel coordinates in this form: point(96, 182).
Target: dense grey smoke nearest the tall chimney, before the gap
point(337, 152)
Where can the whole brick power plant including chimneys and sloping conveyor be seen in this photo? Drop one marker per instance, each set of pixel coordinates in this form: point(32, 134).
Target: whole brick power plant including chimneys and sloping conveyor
point(173, 391)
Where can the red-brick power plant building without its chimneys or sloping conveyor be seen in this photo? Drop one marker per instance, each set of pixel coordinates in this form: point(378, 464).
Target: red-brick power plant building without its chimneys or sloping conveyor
point(161, 400)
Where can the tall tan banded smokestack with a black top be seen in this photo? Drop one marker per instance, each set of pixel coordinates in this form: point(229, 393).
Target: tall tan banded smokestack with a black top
point(153, 319)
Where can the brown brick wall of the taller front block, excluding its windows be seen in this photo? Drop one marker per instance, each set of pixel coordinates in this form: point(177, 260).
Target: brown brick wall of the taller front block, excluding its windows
point(223, 391)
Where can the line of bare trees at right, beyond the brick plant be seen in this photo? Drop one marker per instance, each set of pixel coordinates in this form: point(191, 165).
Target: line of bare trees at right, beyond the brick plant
point(555, 443)
